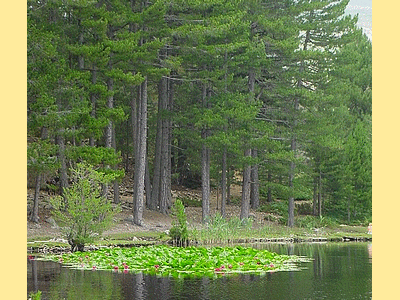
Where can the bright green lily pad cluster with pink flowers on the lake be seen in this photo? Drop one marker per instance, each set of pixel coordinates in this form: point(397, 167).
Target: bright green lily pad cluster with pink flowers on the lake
point(165, 260)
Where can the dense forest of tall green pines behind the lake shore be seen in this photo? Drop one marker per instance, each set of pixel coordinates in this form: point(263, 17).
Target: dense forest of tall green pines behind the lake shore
point(273, 95)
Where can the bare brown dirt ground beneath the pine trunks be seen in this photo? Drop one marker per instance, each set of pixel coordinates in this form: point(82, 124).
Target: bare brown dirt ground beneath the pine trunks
point(153, 221)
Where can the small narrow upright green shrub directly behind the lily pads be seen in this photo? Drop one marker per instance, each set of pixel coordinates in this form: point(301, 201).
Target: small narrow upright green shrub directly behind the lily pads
point(179, 231)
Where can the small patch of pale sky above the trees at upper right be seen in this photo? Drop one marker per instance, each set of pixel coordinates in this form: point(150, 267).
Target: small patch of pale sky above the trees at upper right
point(364, 10)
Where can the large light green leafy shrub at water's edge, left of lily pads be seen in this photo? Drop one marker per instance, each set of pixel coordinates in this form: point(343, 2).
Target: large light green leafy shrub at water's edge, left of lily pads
point(86, 212)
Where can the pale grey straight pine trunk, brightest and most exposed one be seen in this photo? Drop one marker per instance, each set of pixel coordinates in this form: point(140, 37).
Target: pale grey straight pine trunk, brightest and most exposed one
point(140, 158)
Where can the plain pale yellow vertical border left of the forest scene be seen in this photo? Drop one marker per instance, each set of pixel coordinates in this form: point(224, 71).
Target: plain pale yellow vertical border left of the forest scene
point(13, 149)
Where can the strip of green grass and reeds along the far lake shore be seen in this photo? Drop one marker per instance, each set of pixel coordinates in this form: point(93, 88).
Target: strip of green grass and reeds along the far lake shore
point(220, 230)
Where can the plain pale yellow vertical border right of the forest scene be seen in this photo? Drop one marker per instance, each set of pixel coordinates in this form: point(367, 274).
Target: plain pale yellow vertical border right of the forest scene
point(385, 162)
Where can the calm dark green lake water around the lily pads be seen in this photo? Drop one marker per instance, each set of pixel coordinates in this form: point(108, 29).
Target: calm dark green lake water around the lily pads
point(337, 271)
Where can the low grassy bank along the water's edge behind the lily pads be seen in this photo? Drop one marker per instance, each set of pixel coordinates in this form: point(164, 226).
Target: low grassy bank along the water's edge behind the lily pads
point(217, 231)
